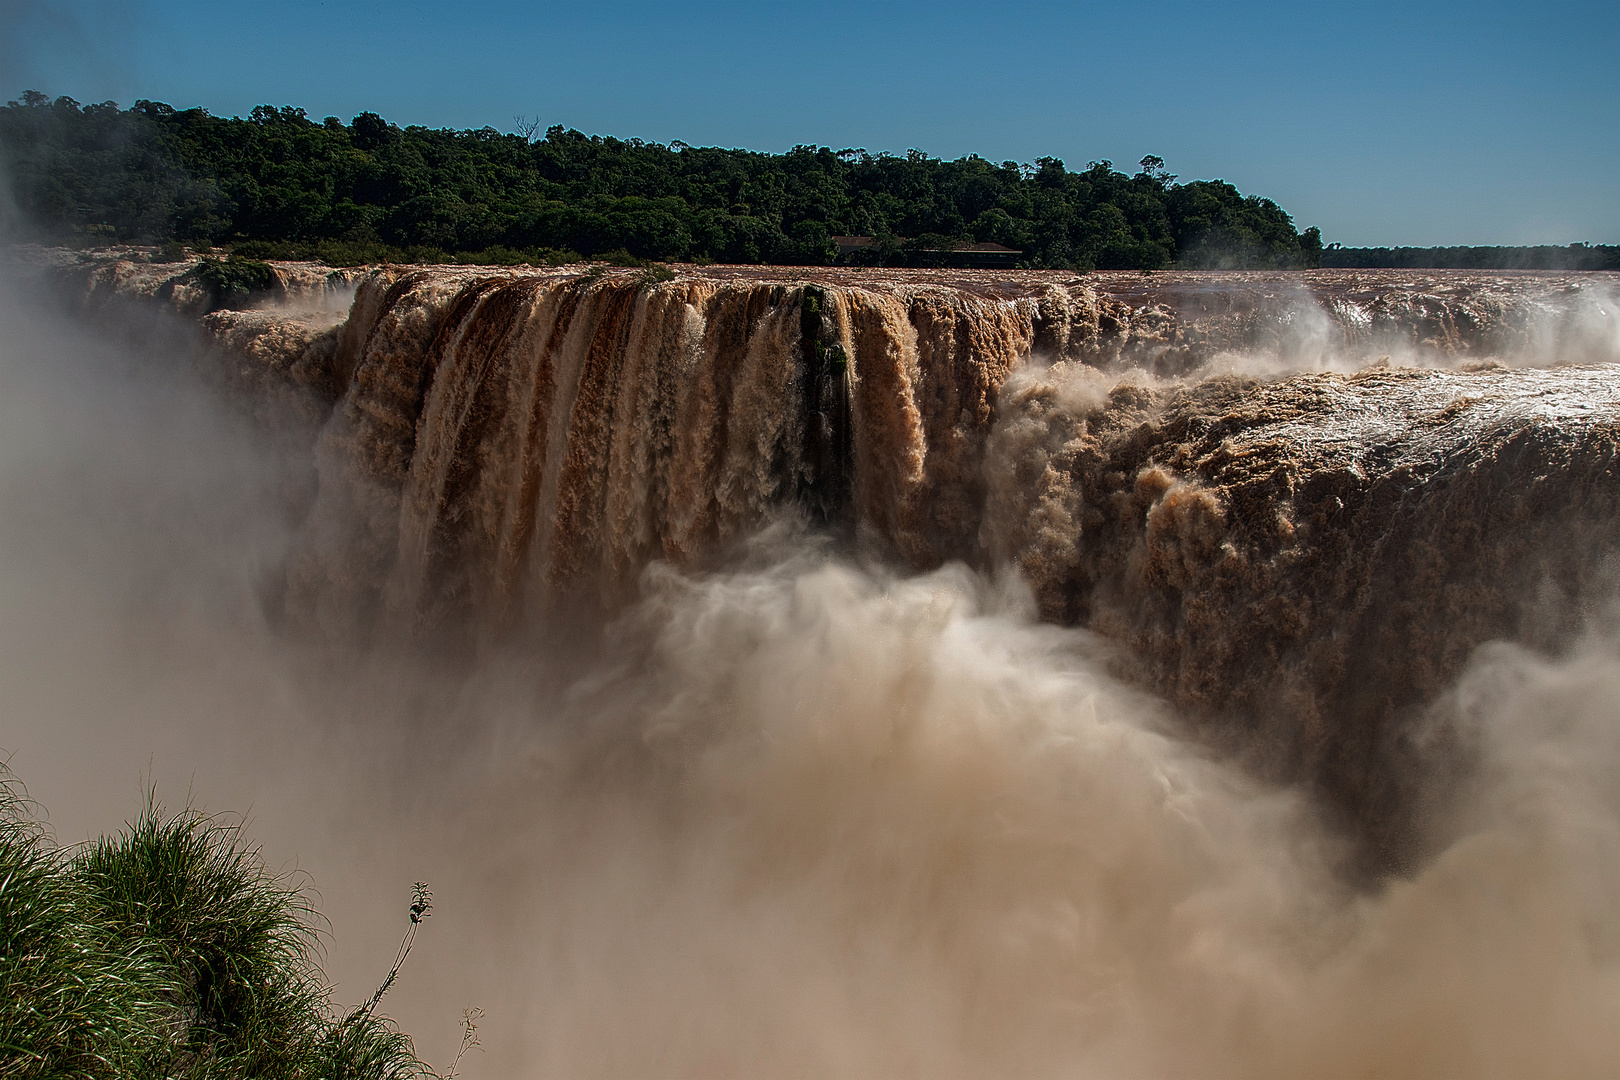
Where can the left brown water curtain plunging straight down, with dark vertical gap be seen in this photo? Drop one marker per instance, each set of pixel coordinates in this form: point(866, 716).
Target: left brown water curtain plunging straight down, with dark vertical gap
point(511, 438)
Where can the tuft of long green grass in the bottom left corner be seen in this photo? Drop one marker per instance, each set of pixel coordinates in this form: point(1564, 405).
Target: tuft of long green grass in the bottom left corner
point(169, 951)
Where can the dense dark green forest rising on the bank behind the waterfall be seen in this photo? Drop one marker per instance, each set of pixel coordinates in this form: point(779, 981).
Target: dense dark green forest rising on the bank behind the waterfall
point(279, 184)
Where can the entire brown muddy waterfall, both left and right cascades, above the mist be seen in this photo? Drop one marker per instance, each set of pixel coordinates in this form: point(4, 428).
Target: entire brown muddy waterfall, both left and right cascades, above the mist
point(1297, 542)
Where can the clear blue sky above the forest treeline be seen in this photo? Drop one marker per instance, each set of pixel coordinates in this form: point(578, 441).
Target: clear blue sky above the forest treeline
point(1402, 124)
